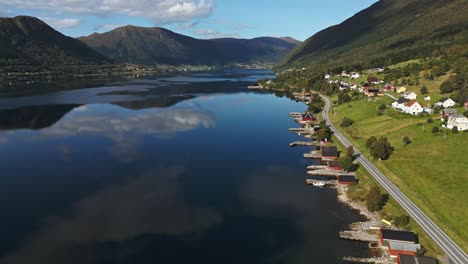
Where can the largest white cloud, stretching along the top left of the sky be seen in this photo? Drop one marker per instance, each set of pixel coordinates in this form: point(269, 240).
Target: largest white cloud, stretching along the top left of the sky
point(159, 11)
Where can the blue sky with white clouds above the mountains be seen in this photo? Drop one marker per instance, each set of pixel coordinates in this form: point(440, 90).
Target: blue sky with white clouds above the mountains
point(204, 19)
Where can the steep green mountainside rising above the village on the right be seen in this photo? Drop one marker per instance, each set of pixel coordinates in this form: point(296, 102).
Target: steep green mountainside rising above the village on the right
point(388, 32)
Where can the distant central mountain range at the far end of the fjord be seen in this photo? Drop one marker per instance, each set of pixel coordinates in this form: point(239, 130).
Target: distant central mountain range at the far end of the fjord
point(141, 45)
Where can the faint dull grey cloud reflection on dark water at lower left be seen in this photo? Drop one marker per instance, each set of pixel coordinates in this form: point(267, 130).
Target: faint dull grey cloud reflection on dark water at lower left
point(150, 204)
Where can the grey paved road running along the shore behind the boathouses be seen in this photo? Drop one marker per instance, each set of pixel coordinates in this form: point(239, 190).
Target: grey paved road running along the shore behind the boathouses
point(453, 251)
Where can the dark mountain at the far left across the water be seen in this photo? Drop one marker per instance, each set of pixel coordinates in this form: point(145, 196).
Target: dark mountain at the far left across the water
point(29, 41)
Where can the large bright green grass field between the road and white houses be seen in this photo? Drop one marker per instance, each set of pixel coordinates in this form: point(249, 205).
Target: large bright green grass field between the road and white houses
point(432, 170)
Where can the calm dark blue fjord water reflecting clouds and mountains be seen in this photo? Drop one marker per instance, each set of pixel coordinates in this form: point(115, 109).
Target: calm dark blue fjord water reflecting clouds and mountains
point(184, 168)
